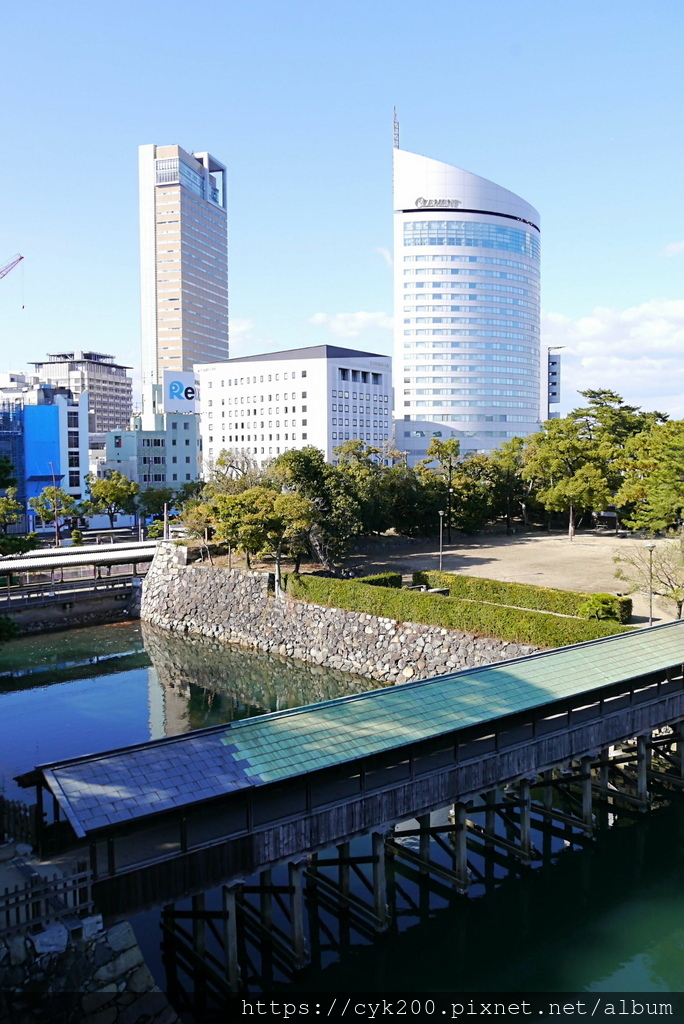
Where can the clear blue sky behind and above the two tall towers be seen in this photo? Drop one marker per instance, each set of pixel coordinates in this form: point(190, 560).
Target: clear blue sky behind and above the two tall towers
point(575, 106)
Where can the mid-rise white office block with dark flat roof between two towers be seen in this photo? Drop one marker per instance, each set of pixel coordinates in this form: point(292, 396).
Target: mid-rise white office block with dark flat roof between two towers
point(322, 397)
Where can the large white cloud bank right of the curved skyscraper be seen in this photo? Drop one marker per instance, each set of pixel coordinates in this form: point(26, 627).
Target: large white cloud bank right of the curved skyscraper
point(638, 353)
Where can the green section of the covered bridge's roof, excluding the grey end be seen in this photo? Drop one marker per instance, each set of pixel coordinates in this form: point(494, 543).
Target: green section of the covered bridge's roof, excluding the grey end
point(277, 747)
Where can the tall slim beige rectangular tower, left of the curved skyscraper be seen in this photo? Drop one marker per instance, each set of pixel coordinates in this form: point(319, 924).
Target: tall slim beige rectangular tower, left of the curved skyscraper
point(184, 261)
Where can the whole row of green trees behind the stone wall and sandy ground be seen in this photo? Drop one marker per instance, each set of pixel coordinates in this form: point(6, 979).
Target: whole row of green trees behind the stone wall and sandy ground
point(605, 455)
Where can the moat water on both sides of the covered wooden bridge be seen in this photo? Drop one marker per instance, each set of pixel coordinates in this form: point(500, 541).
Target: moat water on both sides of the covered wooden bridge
point(609, 918)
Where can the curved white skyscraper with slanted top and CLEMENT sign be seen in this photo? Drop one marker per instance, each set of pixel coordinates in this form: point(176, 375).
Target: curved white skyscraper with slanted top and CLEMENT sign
point(466, 309)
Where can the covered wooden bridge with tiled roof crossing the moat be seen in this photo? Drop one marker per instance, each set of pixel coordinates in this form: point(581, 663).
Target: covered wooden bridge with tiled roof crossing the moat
point(219, 805)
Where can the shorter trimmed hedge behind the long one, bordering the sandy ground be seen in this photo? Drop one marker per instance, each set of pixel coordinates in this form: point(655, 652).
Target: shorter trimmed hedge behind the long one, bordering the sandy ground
point(523, 595)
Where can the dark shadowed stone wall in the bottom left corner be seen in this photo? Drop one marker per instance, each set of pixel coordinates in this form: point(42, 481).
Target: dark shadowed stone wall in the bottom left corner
point(100, 978)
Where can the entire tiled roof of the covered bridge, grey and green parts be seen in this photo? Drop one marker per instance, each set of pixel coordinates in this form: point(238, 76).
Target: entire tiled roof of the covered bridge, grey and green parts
point(120, 786)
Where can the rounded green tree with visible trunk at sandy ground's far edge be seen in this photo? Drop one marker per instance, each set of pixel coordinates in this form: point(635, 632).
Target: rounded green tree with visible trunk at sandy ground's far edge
point(568, 468)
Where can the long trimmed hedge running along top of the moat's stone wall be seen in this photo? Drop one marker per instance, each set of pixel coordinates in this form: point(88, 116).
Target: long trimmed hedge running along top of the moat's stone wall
point(469, 617)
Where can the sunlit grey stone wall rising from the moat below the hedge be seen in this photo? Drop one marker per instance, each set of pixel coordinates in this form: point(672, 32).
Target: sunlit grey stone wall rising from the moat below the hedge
point(241, 608)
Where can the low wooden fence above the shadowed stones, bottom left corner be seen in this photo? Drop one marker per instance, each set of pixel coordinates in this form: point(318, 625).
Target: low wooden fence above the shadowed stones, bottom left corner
point(41, 902)
